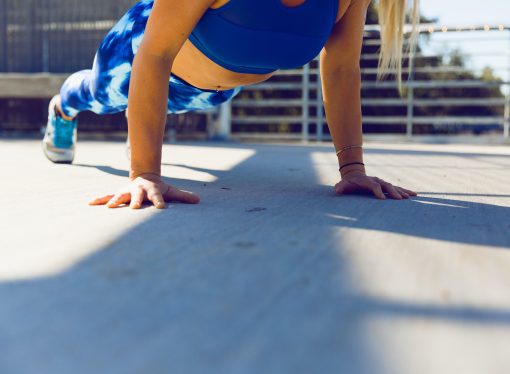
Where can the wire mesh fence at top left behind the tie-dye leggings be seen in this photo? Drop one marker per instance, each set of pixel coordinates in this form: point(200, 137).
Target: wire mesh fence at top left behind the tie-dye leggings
point(54, 35)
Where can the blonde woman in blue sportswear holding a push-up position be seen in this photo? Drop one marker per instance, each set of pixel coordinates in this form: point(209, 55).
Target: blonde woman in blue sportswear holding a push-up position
point(209, 49)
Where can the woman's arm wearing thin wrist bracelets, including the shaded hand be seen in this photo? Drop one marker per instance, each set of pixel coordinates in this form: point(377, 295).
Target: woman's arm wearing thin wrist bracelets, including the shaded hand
point(341, 87)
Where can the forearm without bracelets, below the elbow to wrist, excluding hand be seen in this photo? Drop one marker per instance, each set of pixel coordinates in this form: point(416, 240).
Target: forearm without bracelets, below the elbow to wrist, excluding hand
point(147, 103)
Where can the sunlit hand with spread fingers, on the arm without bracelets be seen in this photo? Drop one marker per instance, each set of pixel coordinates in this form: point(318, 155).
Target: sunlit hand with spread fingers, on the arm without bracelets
point(146, 187)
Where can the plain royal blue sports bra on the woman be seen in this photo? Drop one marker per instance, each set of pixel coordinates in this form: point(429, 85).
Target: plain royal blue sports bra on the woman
point(261, 36)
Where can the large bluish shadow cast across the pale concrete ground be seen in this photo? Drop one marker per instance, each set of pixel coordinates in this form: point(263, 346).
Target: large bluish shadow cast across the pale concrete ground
point(246, 282)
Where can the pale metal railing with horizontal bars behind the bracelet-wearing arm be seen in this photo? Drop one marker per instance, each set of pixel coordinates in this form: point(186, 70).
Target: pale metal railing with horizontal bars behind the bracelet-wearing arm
point(302, 95)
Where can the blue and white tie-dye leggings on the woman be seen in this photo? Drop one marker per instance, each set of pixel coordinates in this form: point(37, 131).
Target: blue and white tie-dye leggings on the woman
point(104, 89)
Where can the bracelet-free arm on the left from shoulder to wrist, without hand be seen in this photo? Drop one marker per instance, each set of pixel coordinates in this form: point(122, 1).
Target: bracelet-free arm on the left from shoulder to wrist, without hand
point(169, 25)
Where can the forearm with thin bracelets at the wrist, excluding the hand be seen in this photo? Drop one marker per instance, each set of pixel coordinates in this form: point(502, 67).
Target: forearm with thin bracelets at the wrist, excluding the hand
point(342, 102)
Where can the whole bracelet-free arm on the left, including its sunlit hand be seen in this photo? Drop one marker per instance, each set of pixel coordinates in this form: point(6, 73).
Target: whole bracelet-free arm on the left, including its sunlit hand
point(169, 25)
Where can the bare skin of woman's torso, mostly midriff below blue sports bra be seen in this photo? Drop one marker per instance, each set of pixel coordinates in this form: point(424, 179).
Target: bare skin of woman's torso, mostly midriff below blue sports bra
point(194, 67)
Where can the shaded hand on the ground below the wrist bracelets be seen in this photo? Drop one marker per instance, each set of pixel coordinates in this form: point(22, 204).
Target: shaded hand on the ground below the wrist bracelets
point(359, 182)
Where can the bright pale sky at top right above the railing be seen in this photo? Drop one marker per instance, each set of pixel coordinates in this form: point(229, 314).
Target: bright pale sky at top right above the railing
point(483, 48)
